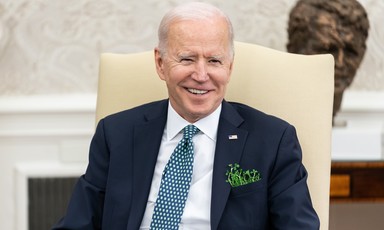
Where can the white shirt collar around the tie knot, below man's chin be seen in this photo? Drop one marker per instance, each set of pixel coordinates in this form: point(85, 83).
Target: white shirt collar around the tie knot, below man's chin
point(208, 125)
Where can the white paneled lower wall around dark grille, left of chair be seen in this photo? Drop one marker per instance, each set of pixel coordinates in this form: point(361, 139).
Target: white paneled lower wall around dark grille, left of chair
point(44, 136)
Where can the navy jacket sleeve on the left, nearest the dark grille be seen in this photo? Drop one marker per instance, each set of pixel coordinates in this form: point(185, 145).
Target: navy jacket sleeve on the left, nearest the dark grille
point(85, 208)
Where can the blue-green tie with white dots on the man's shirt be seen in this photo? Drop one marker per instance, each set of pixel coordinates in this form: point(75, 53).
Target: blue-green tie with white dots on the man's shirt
point(175, 183)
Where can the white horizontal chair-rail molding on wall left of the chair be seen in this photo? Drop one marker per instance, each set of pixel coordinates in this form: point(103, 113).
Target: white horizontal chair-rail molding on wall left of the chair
point(47, 115)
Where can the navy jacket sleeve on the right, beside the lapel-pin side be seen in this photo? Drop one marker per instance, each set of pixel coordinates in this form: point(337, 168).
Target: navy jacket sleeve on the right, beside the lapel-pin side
point(289, 199)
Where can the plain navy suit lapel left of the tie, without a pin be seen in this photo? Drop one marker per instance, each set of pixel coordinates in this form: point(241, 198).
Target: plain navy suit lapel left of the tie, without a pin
point(147, 139)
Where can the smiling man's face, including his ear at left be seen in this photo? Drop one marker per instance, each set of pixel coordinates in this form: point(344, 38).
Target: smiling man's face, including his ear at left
point(196, 66)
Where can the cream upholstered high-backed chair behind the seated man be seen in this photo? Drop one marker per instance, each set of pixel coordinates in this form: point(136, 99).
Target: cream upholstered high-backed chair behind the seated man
point(297, 88)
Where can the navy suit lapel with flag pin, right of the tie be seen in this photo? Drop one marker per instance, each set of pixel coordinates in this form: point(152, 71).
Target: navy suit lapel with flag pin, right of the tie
point(228, 151)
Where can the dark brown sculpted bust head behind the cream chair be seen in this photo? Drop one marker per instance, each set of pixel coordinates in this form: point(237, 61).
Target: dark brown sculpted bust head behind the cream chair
point(338, 27)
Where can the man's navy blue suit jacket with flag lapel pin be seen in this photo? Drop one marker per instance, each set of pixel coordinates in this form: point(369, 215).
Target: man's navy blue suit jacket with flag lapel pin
point(113, 193)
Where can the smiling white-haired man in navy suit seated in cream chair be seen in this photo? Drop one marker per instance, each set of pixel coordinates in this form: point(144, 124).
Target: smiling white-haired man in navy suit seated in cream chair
point(247, 169)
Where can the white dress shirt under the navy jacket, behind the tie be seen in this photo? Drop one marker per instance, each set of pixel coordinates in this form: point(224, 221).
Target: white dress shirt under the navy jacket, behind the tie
point(197, 209)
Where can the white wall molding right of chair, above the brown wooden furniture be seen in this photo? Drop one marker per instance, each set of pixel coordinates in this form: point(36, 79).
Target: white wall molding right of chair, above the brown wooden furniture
point(361, 133)
